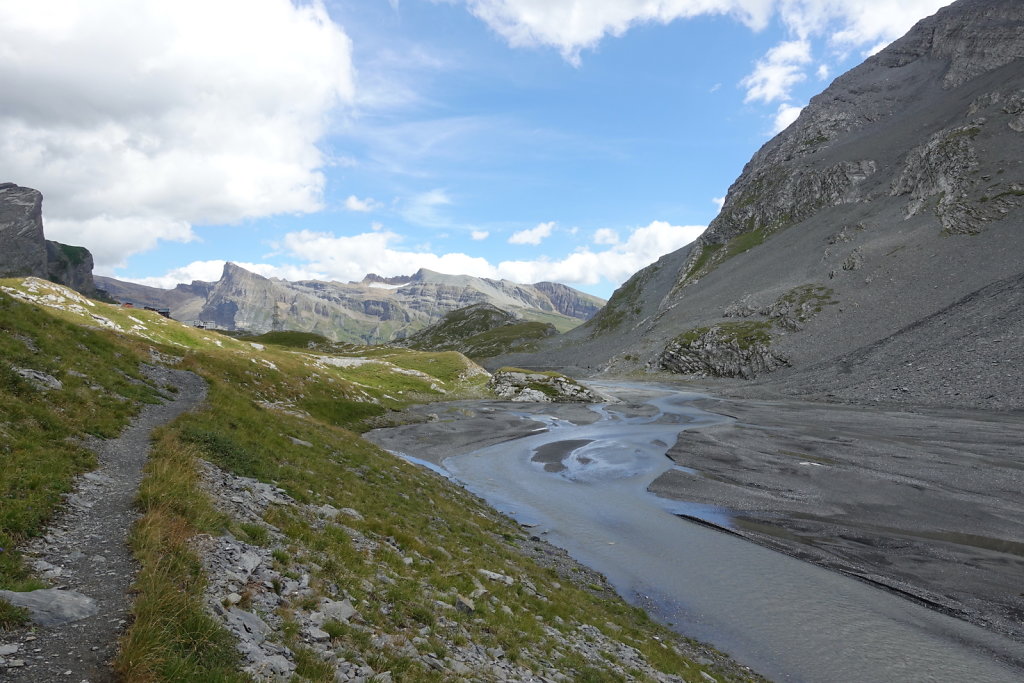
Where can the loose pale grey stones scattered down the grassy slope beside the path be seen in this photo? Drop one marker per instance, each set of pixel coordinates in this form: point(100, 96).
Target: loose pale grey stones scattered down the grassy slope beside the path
point(249, 586)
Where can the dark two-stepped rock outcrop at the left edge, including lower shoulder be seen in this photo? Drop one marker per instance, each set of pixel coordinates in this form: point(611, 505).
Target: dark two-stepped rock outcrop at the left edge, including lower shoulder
point(27, 252)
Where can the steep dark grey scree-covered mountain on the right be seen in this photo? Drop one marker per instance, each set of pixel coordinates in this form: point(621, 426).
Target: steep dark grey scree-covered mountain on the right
point(872, 251)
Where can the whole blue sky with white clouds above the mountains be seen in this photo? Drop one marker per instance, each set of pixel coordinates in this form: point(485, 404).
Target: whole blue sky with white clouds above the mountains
point(566, 141)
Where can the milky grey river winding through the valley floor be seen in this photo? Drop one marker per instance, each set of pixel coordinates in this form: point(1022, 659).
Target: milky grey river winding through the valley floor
point(585, 489)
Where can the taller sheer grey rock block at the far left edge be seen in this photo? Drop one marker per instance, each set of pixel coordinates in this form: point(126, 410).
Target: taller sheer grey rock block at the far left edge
point(22, 233)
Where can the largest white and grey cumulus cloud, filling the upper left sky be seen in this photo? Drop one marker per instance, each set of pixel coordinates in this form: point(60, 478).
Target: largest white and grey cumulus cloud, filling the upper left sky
point(163, 114)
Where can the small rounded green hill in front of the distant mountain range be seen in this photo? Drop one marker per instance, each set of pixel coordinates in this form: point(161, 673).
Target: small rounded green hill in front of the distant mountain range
point(481, 331)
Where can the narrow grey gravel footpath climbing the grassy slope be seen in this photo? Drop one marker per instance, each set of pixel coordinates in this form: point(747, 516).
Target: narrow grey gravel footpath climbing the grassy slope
point(87, 552)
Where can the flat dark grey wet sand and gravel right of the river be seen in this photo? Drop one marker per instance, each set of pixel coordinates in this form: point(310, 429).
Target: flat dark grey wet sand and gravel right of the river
point(928, 505)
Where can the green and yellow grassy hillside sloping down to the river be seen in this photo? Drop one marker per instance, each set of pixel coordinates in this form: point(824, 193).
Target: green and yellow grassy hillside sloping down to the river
point(290, 417)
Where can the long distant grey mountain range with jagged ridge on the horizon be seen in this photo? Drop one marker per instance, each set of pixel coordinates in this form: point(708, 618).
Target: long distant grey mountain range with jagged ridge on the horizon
point(374, 311)
